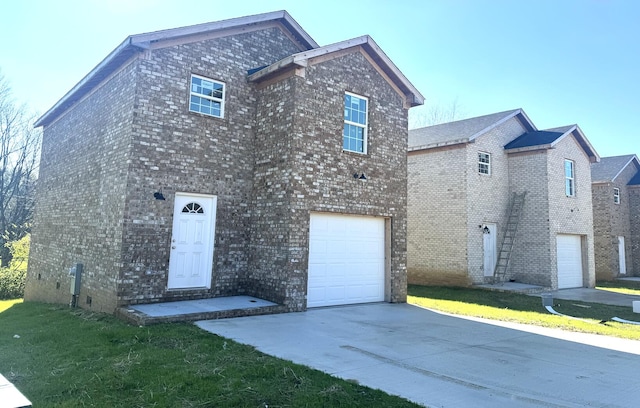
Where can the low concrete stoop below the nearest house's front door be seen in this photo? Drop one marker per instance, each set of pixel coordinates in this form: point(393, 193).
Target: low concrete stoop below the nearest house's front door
point(193, 310)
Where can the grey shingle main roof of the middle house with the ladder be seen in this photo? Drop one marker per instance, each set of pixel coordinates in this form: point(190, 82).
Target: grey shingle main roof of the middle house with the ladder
point(461, 131)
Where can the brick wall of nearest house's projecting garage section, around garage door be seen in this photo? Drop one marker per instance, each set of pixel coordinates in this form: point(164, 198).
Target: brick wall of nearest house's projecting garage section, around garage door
point(304, 150)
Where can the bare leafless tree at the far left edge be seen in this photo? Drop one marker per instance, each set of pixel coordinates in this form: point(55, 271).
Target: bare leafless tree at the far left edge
point(19, 149)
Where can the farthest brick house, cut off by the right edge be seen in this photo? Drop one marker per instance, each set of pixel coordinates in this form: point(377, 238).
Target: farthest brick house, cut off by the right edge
point(616, 216)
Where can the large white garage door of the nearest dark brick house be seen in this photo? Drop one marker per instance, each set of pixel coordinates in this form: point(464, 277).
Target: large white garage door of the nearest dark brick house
point(346, 260)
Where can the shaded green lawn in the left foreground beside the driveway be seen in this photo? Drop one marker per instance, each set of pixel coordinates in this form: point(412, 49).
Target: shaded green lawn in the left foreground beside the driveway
point(73, 358)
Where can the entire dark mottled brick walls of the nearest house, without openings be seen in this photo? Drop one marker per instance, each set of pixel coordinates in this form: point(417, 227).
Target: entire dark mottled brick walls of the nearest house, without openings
point(274, 157)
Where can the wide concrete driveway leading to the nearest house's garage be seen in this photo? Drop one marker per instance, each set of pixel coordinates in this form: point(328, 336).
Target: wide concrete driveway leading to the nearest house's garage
point(445, 361)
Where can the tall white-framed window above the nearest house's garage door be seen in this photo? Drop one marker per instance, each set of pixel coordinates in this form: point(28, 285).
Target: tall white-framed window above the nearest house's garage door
point(354, 134)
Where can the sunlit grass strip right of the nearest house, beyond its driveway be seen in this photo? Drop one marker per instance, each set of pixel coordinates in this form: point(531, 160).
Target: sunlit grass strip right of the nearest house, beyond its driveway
point(526, 309)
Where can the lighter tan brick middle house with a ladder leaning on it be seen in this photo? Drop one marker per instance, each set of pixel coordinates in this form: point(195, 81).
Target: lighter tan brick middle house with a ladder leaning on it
point(461, 179)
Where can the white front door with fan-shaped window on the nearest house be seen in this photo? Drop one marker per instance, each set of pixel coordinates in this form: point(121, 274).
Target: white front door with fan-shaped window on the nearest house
point(191, 259)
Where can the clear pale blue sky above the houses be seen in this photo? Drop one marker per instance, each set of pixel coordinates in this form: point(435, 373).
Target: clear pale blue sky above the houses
point(562, 61)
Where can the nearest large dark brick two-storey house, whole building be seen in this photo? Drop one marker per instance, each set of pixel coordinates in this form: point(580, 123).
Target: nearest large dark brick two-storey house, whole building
point(234, 157)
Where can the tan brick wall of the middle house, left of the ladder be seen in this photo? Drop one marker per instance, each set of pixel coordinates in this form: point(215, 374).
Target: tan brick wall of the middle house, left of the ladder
point(448, 201)
